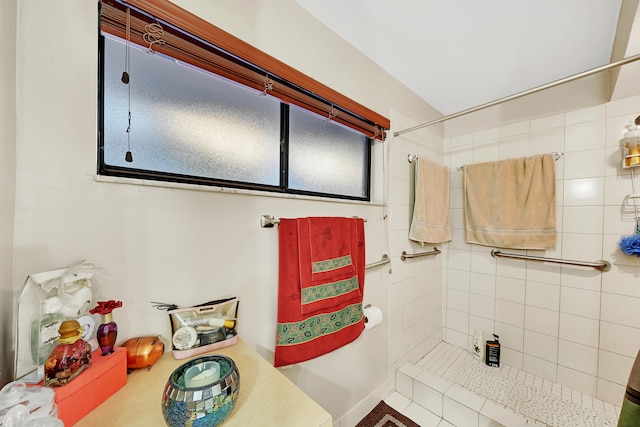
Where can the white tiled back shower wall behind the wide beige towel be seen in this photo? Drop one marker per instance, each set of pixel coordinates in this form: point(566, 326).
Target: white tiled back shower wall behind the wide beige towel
point(572, 325)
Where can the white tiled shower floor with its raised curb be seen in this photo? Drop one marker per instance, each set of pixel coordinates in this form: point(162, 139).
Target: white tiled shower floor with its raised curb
point(451, 385)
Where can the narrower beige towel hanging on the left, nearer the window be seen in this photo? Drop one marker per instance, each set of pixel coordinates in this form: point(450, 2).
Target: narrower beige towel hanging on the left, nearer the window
point(430, 221)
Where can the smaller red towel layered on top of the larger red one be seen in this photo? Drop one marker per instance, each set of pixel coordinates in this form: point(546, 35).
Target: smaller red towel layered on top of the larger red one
point(328, 257)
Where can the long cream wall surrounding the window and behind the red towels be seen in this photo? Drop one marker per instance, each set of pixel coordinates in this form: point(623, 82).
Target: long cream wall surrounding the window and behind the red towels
point(187, 246)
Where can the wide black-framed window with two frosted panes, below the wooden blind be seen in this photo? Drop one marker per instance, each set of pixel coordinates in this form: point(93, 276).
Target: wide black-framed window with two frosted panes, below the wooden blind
point(189, 125)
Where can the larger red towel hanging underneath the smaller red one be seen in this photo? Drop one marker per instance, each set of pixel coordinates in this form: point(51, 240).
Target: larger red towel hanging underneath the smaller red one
point(303, 336)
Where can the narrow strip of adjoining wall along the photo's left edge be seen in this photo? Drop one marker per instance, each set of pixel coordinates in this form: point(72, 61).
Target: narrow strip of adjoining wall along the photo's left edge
point(7, 179)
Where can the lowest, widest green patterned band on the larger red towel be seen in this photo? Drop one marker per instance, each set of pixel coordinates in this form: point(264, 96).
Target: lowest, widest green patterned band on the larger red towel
point(317, 326)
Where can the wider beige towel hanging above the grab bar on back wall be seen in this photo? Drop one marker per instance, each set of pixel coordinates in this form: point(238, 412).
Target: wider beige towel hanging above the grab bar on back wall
point(511, 203)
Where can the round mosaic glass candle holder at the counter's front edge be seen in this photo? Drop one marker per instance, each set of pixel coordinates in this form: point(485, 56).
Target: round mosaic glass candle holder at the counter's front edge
point(207, 405)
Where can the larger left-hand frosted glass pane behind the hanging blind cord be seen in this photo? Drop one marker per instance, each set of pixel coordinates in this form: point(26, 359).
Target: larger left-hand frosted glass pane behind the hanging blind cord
point(187, 122)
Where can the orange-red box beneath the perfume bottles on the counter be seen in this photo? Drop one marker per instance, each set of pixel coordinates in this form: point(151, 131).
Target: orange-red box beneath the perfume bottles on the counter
point(105, 376)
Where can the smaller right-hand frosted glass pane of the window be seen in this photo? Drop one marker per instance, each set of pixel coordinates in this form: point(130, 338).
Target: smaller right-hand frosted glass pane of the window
point(326, 157)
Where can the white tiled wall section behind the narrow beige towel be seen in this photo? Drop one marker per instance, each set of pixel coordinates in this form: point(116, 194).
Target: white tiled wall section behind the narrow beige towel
point(415, 285)
